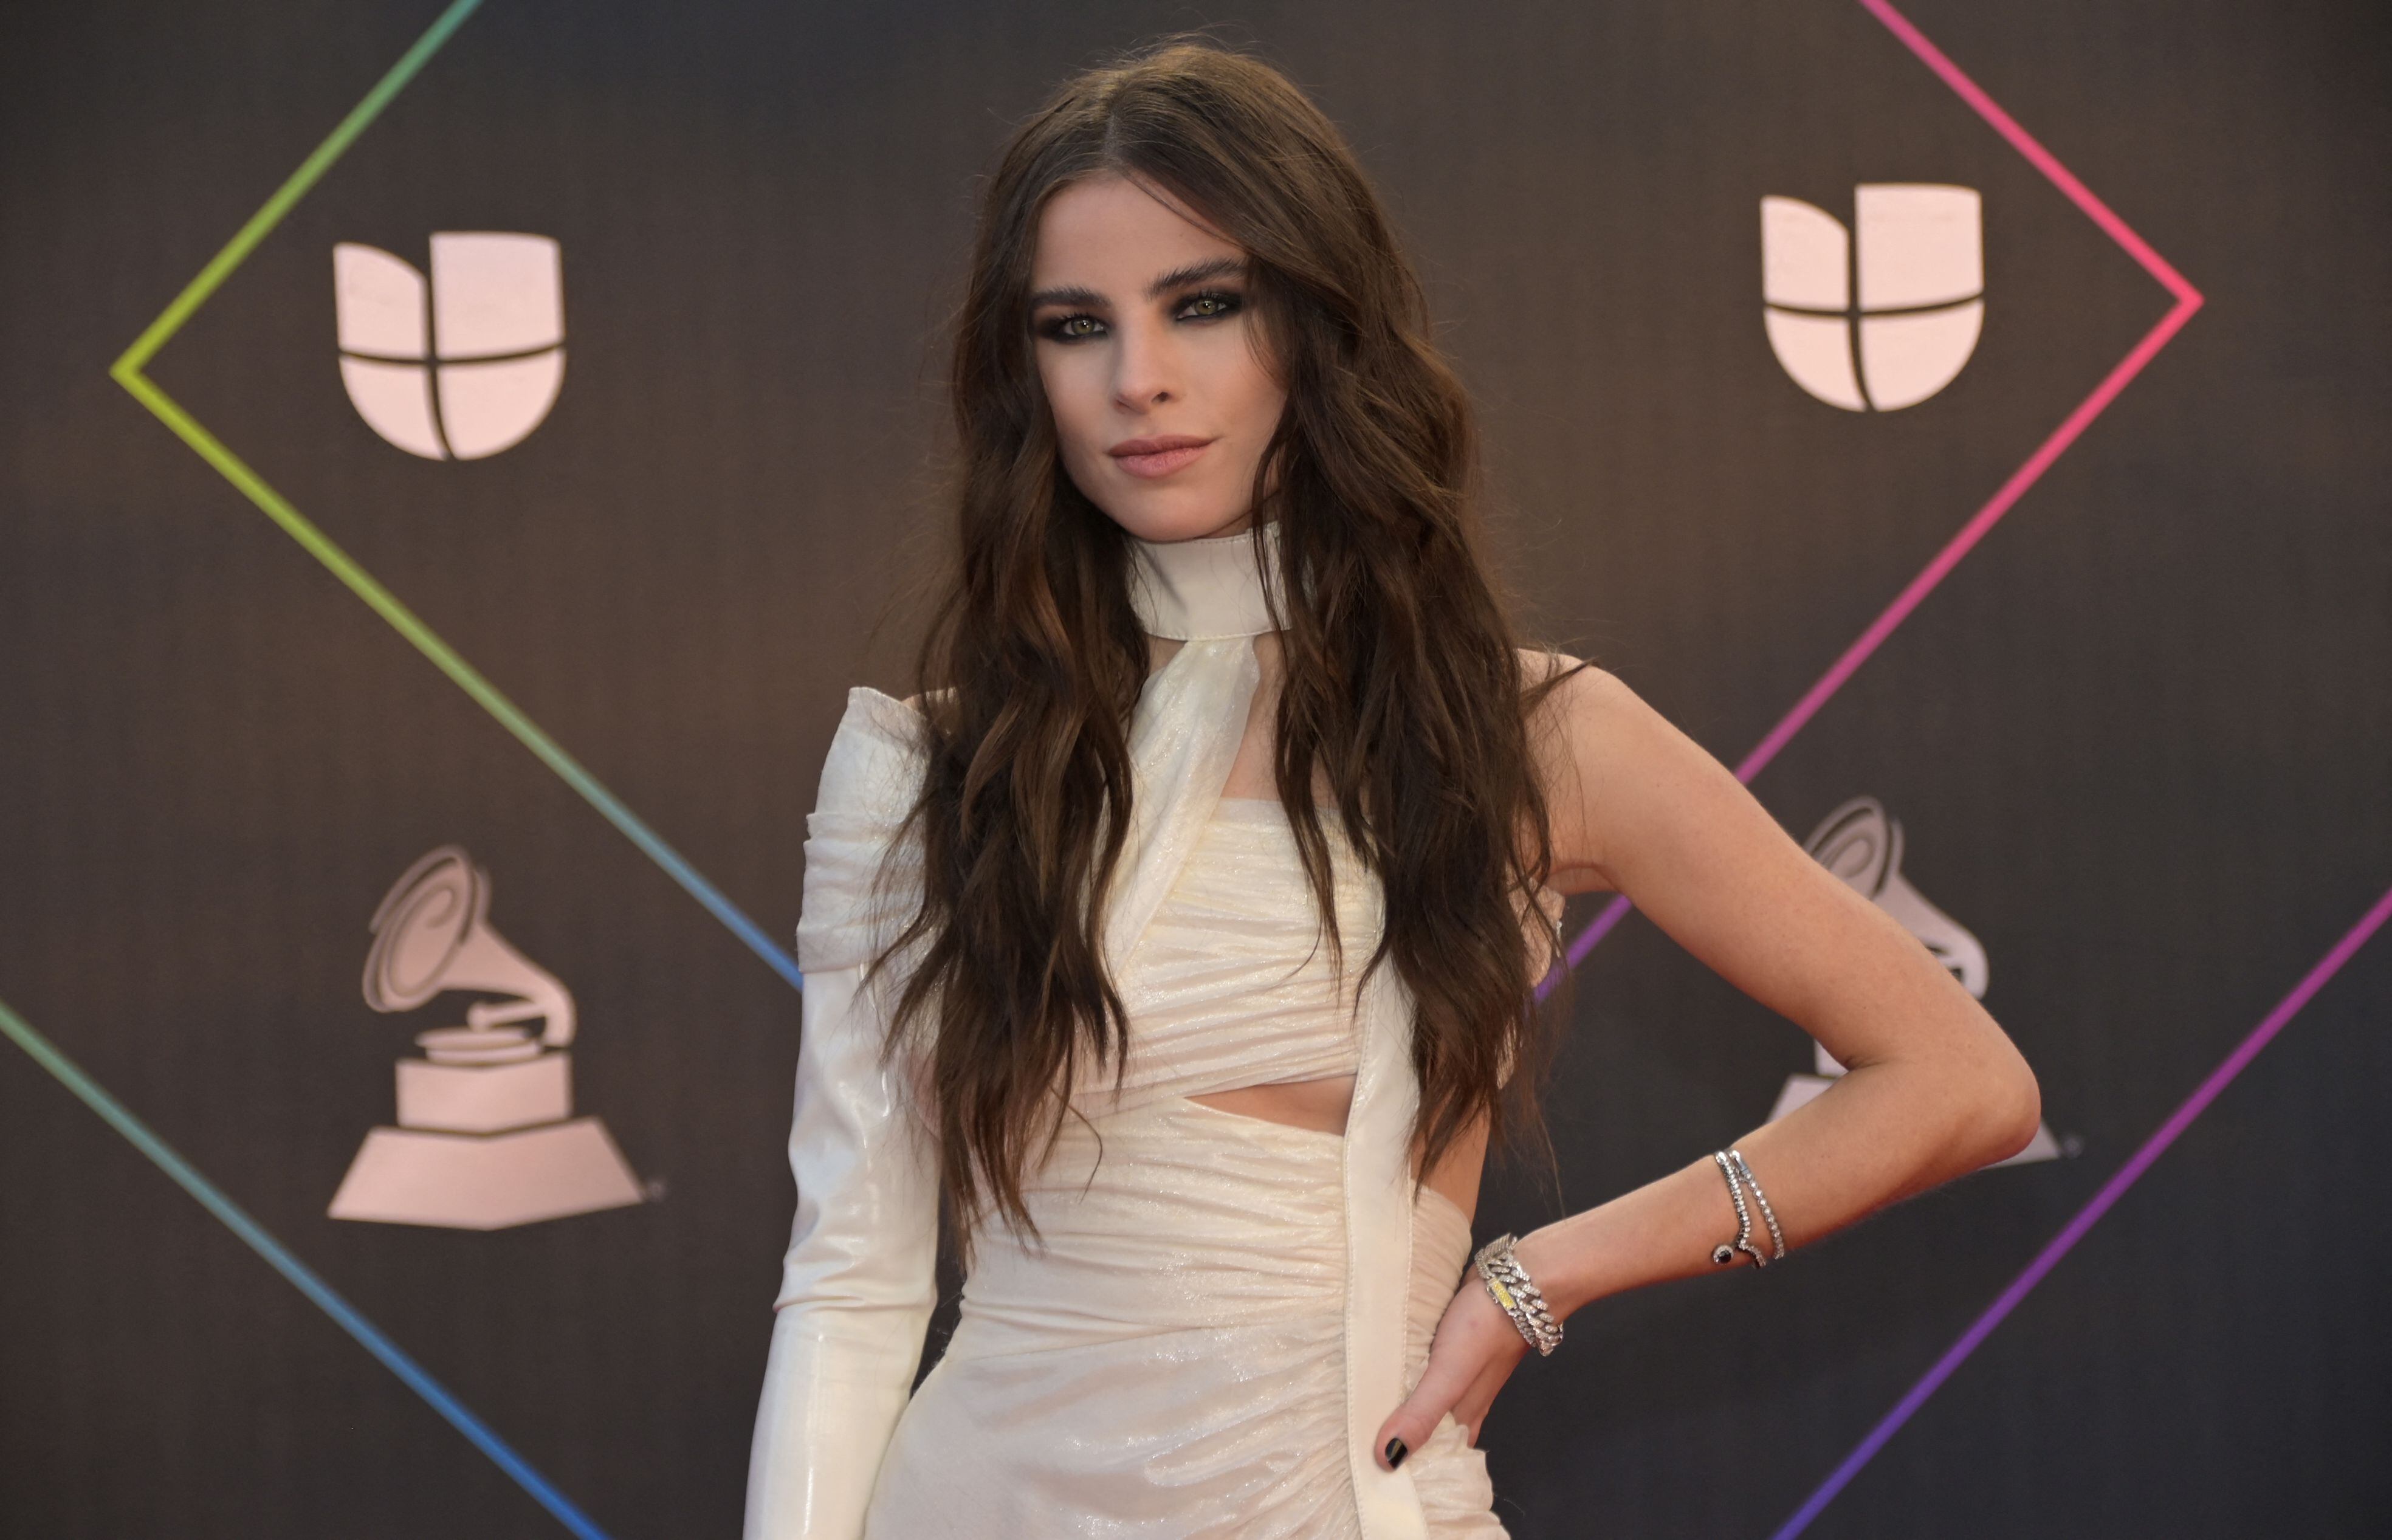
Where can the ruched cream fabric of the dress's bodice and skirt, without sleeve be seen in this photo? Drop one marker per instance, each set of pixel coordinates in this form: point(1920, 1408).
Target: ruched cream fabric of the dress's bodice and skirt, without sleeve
point(1168, 1357)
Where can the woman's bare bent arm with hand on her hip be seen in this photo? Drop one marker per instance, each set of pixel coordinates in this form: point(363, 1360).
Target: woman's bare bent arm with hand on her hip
point(1934, 1084)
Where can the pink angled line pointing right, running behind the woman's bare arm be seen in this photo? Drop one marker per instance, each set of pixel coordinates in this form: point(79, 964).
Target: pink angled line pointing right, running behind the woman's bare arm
point(2010, 491)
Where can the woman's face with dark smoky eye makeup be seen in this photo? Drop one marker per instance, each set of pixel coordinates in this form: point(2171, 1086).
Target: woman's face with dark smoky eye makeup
point(1154, 365)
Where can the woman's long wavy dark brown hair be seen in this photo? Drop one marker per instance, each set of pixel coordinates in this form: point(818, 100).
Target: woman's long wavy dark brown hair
point(1405, 690)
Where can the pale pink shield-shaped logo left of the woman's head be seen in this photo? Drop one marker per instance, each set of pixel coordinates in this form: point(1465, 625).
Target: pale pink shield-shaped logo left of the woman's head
point(465, 365)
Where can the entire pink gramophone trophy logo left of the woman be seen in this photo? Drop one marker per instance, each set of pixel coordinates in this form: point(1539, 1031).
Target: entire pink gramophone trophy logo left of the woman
point(487, 1118)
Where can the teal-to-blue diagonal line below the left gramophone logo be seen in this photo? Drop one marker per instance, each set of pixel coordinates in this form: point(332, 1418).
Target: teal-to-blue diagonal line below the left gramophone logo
point(298, 1273)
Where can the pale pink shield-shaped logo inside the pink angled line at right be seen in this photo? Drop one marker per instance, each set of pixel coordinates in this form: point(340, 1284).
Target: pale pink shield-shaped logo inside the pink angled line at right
point(1917, 264)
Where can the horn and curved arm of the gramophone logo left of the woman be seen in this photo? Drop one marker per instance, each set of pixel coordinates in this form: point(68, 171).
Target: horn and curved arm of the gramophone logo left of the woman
point(432, 934)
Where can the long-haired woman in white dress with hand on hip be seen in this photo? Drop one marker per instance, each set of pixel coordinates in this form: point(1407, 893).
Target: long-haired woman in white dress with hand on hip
point(1180, 936)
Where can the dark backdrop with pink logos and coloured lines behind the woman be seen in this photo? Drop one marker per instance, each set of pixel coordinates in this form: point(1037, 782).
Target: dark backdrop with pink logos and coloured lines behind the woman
point(458, 460)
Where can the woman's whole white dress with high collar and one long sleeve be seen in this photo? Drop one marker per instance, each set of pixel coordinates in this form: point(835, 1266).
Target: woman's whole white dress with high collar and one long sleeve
point(1221, 1309)
